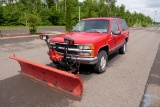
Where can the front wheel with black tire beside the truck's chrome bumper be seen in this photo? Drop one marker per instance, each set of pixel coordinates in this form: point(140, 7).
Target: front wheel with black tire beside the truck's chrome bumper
point(100, 67)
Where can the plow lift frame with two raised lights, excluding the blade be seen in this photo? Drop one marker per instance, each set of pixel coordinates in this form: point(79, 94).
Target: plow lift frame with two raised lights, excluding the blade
point(62, 62)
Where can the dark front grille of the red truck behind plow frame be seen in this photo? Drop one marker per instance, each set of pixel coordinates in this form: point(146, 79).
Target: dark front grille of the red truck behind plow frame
point(62, 46)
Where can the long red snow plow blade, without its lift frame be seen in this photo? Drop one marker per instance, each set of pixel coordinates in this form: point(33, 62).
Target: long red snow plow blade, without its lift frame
point(60, 81)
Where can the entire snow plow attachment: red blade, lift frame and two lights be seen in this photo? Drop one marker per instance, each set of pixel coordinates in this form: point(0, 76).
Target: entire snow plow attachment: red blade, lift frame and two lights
point(61, 80)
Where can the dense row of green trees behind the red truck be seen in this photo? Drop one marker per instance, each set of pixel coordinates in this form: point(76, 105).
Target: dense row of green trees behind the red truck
point(63, 12)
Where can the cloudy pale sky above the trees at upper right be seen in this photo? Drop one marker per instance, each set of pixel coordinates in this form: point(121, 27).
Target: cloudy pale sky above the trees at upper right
point(147, 7)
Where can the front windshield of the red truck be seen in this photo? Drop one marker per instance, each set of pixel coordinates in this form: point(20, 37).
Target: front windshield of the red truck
point(92, 26)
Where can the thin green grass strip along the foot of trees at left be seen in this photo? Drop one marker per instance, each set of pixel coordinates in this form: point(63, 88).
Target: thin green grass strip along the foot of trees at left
point(26, 27)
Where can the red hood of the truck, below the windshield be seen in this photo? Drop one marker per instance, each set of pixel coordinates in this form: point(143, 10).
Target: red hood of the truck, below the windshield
point(81, 37)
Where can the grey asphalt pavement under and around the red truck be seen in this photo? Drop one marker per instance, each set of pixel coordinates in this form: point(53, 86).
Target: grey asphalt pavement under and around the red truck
point(126, 82)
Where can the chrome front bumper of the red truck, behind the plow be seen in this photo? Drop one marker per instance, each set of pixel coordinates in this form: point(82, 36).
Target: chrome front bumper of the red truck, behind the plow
point(89, 61)
